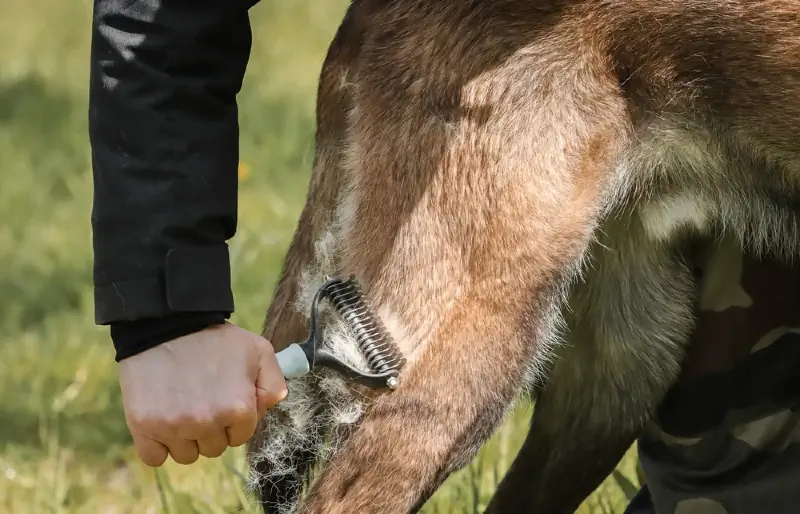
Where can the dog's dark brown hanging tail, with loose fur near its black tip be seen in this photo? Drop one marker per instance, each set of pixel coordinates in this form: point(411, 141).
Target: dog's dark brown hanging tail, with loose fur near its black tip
point(280, 475)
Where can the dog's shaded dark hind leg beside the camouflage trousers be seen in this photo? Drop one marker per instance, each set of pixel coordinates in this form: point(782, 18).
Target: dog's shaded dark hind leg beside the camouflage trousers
point(629, 326)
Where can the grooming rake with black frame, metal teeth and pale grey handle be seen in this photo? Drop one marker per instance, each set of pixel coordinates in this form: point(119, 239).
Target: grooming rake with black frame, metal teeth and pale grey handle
point(372, 339)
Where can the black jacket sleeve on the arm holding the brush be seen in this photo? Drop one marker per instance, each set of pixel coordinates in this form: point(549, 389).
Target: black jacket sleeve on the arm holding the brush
point(163, 128)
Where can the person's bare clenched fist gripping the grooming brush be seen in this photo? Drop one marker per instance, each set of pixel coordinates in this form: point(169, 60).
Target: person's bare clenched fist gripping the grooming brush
point(199, 394)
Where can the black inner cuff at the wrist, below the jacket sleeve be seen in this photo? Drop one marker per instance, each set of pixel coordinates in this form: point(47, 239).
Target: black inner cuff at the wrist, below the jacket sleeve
point(133, 337)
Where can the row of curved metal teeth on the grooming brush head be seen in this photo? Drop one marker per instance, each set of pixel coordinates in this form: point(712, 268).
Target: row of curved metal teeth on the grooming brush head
point(372, 338)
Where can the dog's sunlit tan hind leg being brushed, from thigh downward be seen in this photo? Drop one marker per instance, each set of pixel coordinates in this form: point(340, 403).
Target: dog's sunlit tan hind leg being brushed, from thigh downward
point(467, 212)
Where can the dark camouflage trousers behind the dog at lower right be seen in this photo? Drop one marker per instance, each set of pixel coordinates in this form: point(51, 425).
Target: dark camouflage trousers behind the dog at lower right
point(726, 439)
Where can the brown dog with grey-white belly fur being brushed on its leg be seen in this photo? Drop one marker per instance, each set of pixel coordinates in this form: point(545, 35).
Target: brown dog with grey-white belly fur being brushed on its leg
point(501, 174)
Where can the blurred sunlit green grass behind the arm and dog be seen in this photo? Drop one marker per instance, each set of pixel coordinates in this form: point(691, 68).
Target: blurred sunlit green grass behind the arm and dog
point(64, 446)
